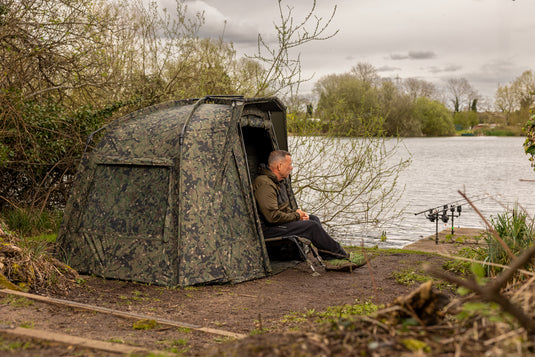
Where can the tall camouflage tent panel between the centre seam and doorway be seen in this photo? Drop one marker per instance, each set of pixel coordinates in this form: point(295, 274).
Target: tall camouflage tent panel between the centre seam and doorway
point(218, 241)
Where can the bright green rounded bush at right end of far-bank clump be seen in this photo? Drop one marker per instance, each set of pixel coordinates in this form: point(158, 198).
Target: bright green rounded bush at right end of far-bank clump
point(434, 117)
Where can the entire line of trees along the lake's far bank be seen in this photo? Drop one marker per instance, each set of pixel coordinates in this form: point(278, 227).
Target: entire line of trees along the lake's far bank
point(361, 102)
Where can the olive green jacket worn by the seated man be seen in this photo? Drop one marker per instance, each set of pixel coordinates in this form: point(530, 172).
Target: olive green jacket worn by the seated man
point(272, 199)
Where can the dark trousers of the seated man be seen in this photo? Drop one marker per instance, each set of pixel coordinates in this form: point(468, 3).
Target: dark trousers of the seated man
point(313, 231)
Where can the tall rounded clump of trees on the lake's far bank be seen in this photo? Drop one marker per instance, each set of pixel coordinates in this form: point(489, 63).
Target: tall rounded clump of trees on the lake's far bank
point(350, 102)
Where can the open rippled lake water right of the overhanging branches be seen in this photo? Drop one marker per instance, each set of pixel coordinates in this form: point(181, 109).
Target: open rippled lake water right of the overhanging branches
point(493, 167)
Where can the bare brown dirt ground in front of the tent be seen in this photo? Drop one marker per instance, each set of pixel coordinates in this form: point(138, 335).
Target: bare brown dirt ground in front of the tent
point(245, 308)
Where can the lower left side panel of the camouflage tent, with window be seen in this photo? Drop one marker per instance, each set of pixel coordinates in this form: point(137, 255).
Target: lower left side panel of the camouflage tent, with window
point(121, 231)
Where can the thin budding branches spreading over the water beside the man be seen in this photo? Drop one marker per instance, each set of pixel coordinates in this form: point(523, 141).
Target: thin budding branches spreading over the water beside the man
point(348, 181)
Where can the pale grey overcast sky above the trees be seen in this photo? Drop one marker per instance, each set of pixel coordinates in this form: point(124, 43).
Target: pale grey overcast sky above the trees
point(488, 42)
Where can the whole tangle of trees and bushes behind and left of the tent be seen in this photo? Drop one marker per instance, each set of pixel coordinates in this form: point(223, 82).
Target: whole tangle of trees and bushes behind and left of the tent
point(76, 76)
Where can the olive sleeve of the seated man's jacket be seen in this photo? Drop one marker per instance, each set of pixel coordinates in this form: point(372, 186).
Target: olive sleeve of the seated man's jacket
point(266, 199)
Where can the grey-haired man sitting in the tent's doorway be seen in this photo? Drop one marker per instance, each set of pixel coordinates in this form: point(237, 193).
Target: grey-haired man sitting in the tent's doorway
point(278, 219)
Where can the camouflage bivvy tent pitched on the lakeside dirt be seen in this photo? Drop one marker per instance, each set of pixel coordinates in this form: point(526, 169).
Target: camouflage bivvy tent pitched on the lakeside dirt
point(165, 195)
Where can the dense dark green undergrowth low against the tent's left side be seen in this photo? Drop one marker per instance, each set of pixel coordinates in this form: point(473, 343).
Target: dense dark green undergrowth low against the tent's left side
point(43, 148)
